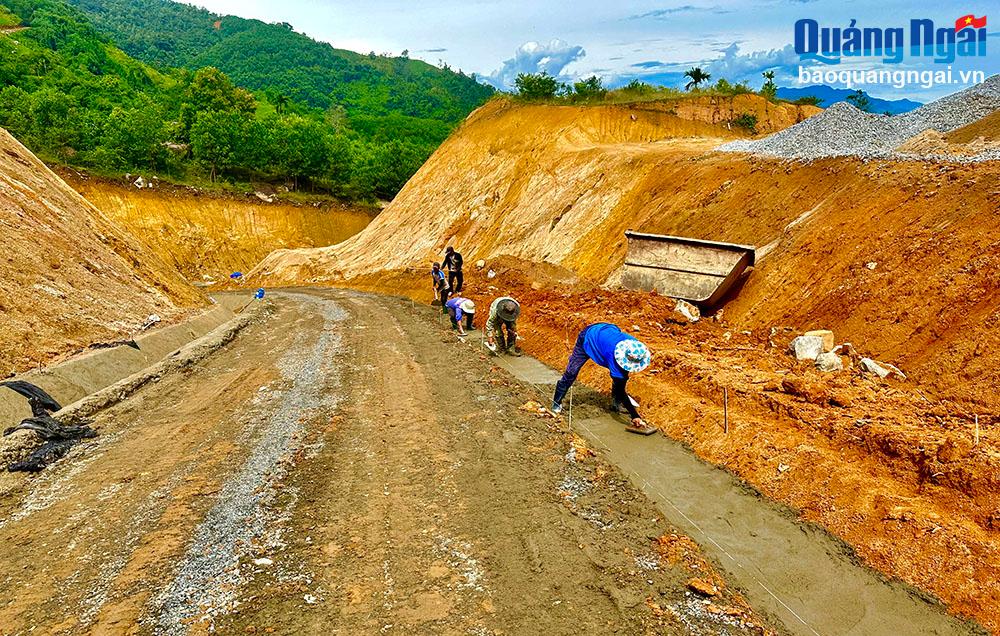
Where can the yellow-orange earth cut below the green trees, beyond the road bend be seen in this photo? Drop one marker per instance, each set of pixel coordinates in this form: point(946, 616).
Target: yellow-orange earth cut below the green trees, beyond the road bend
point(208, 236)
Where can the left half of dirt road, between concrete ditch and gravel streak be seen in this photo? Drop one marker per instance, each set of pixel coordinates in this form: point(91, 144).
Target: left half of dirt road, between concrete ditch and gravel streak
point(93, 539)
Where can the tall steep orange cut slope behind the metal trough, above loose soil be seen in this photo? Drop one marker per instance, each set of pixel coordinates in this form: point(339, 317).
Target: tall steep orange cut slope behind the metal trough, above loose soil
point(560, 185)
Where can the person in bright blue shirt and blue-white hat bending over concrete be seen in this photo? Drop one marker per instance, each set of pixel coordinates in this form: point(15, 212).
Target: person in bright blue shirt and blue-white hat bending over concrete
point(619, 353)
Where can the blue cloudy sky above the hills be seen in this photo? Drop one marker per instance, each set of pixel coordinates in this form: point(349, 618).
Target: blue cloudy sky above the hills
point(653, 41)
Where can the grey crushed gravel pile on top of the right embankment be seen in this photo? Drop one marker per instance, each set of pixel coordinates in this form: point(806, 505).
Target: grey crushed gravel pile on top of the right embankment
point(843, 130)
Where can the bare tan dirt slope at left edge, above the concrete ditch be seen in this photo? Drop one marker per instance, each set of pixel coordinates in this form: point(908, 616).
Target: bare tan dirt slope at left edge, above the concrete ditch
point(69, 275)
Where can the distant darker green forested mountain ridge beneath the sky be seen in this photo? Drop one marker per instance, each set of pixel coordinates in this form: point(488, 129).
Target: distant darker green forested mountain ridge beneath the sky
point(262, 56)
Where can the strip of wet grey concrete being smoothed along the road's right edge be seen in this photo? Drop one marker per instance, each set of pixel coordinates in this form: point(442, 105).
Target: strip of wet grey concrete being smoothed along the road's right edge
point(794, 571)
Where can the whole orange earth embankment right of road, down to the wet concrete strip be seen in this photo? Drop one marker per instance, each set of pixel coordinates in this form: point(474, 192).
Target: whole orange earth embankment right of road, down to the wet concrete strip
point(891, 255)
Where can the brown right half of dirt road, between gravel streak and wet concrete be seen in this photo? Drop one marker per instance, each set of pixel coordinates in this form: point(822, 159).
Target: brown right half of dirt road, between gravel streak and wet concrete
point(436, 506)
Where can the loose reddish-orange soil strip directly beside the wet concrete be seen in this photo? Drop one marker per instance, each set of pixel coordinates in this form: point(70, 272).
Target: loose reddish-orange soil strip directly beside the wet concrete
point(878, 463)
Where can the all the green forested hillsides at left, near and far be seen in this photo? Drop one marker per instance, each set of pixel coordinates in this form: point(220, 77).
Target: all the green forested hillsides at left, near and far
point(72, 96)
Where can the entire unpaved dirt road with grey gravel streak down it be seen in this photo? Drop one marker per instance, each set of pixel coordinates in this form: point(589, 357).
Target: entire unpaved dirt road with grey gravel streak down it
point(346, 466)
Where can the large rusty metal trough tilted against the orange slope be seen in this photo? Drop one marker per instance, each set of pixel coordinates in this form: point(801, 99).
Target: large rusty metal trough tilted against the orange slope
point(694, 270)
